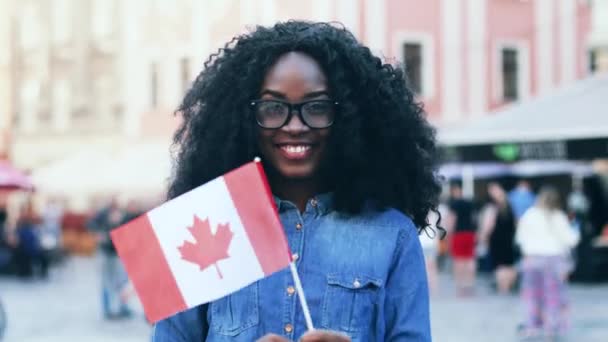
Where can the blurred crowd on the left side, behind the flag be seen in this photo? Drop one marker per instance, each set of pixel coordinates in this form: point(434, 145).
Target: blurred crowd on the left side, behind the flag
point(37, 233)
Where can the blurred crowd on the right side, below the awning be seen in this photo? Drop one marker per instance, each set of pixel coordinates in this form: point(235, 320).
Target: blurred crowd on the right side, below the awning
point(525, 241)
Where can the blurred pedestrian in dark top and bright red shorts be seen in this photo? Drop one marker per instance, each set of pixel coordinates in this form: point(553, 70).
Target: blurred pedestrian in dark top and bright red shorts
point(460, 222)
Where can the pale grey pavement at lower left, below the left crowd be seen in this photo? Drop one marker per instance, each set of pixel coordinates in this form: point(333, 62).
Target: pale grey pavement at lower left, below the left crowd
point(66, 307)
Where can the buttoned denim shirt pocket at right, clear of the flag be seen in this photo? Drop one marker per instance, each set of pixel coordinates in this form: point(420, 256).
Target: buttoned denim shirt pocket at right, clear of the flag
point(349, 303)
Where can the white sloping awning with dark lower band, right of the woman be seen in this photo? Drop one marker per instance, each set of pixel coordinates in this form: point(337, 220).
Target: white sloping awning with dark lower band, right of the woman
point(570, 123)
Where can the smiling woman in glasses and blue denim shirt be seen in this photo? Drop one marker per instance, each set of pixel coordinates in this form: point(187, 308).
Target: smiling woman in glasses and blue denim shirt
point(350, 159)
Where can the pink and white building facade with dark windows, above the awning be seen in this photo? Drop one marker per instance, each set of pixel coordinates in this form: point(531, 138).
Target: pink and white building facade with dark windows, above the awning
point(466, 57)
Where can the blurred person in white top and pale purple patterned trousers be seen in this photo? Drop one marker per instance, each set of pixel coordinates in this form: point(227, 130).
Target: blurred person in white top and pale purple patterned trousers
point(546, 238)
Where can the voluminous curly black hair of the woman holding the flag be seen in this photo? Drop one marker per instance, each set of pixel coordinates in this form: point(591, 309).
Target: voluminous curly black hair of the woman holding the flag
point(383, 149)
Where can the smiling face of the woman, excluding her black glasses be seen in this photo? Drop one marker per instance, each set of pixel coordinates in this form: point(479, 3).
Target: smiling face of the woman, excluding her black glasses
point(295, 150)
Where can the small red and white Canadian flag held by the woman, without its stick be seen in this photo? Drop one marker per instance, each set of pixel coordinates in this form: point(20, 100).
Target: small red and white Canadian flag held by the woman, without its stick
point(204, 244)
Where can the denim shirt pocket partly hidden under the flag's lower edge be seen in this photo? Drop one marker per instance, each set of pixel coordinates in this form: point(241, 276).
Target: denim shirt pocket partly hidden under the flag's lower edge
point(233, 314)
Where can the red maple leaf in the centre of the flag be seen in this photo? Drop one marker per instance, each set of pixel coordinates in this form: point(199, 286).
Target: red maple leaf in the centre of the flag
point(209, 248)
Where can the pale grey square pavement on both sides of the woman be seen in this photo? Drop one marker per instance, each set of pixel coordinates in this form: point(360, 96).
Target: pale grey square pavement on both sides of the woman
point(67, 308)
